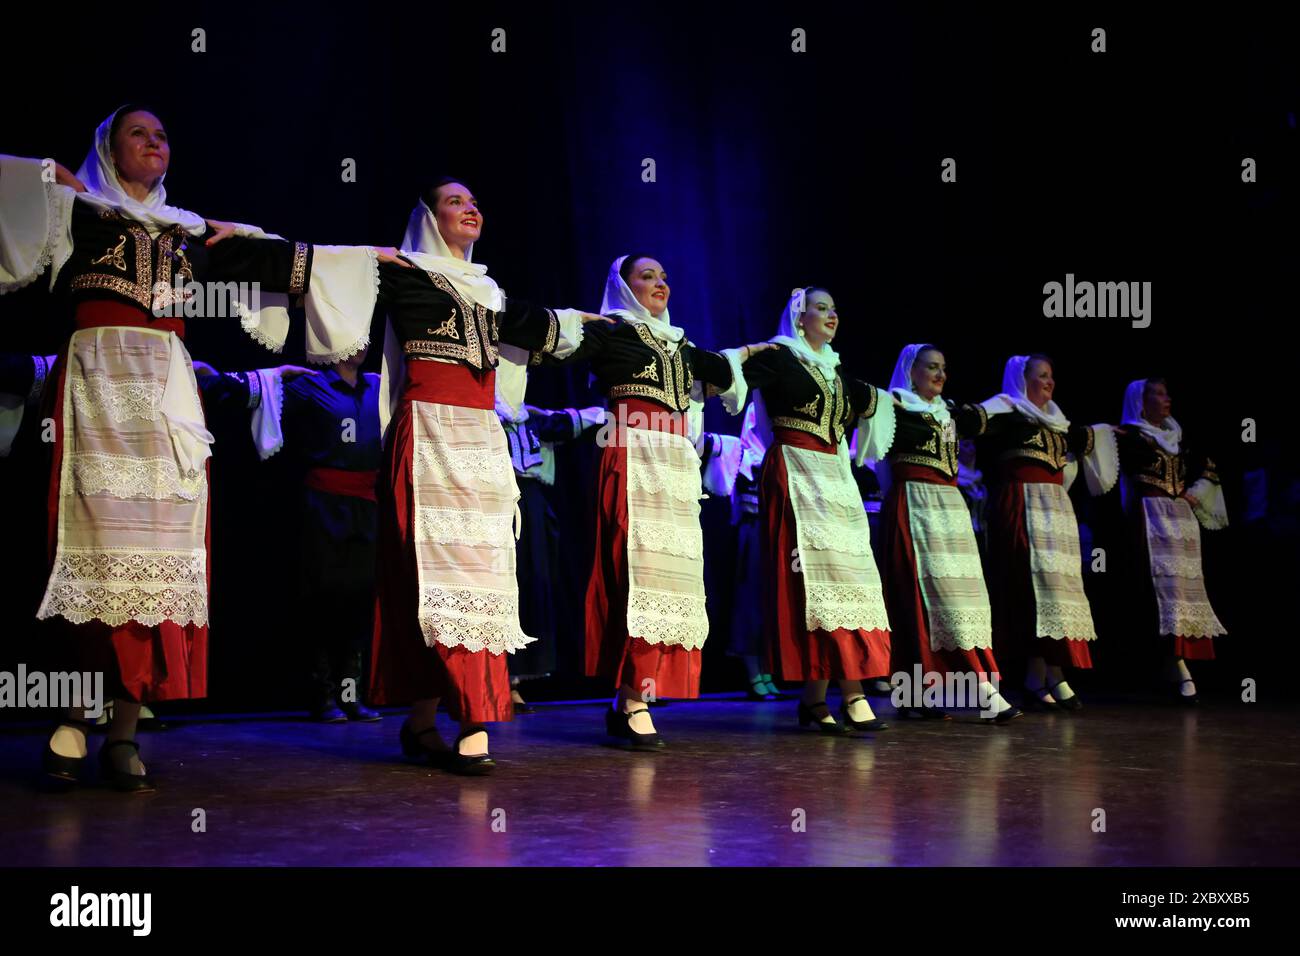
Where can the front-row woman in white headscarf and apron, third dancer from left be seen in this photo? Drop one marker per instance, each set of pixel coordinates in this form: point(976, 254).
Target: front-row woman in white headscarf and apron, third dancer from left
point(645, 602)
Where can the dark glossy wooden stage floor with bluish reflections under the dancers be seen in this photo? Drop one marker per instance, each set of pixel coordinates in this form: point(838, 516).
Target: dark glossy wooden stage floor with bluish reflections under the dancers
point(1215, 786)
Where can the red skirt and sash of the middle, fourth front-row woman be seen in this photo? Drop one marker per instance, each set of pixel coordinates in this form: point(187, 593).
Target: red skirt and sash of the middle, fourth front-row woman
point(791, 650)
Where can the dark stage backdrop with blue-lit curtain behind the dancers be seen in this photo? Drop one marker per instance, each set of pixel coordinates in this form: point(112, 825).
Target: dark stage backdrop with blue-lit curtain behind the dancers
point(774, 170)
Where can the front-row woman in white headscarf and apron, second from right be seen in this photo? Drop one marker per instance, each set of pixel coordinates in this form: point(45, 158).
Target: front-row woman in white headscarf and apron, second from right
point(1037, 581)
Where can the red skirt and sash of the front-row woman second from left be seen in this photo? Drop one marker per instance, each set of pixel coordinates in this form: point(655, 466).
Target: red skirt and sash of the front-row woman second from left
point(404, 668)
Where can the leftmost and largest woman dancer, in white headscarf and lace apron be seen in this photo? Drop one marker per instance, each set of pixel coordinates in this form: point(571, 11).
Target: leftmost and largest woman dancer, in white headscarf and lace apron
point(129, 481)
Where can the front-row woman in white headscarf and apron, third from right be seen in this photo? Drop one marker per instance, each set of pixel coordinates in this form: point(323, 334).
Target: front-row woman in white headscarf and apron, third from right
point(934, 582)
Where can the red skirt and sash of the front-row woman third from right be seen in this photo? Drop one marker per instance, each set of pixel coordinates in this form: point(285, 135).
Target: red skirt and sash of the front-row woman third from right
point(903, 589)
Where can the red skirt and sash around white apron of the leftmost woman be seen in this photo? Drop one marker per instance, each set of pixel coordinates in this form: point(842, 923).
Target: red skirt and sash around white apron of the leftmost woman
point(141, 664)
